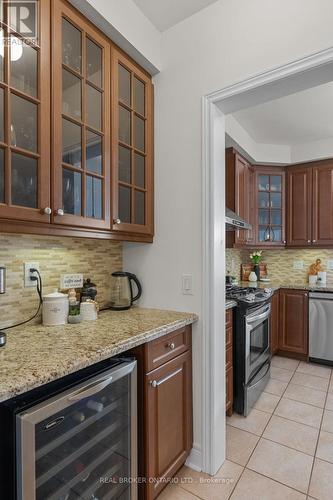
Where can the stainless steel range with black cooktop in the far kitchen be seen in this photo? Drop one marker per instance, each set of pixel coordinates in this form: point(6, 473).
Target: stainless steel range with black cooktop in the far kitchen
point(251, 344)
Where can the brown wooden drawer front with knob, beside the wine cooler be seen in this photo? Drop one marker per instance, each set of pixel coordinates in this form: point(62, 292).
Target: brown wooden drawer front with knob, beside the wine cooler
point(165, 348)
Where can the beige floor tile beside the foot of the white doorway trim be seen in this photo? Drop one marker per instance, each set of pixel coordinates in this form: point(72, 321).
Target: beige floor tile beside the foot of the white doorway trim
point(239, 445)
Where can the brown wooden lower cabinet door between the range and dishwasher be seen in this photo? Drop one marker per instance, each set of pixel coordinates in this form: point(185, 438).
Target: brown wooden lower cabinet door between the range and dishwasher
point(293, 323)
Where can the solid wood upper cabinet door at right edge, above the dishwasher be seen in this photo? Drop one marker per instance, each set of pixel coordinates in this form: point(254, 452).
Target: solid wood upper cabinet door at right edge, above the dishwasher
point(322, 215)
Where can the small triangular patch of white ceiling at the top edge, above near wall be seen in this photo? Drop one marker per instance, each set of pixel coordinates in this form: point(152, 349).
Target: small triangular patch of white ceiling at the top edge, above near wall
point(166, 13)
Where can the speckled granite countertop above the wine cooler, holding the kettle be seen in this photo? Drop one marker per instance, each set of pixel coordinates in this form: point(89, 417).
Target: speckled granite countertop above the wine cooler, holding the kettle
point(35, 355)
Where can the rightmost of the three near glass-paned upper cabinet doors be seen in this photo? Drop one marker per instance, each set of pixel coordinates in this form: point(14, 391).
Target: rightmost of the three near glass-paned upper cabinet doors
point(132, 147)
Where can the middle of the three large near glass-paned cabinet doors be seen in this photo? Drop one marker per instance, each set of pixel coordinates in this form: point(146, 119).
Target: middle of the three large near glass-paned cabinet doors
point(81, 121)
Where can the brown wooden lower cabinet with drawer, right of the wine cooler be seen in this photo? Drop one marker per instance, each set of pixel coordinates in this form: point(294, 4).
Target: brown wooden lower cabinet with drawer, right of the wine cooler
point(165, 415)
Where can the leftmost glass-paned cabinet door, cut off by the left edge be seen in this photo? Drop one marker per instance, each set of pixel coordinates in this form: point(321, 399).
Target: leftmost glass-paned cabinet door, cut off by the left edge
point(25, 112)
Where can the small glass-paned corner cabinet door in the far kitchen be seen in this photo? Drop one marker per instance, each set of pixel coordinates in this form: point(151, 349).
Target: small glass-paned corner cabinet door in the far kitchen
point(270, 184)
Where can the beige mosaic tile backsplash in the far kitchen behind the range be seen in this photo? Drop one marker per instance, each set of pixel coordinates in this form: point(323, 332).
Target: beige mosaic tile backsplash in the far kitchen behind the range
point(280, 263)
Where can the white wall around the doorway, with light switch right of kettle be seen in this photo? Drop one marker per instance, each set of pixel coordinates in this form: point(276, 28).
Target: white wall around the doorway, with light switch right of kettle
point(225, 43)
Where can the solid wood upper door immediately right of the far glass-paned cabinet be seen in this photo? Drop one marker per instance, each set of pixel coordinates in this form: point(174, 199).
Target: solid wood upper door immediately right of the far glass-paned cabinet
point(299, 206)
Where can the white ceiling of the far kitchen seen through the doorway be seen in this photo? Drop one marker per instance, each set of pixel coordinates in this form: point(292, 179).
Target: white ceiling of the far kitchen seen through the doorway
point(295, 119)
